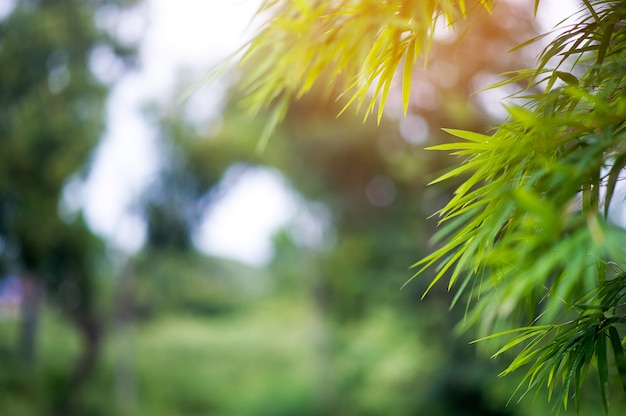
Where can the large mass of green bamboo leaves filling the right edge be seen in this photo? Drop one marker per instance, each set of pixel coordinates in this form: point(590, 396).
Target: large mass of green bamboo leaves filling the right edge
point(529, 229)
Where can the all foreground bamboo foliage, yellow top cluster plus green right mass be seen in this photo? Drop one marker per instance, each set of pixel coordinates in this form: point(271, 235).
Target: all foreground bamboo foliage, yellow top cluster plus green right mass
point(527, 238)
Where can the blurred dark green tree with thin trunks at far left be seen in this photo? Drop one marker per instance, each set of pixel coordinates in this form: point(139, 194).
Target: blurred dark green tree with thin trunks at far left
point(51, 118)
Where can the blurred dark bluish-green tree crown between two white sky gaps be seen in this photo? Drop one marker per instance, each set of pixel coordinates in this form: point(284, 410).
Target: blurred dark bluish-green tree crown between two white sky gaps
point(175, 202)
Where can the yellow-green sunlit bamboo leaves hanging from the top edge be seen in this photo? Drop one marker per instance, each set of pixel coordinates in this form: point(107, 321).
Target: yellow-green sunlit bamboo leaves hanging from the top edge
point(355, 46)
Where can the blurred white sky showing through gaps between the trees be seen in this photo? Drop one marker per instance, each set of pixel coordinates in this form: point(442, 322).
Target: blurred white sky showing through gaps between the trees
point(193, 35)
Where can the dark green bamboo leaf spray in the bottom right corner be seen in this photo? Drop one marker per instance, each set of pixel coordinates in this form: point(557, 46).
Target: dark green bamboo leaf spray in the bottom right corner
point(560, 354)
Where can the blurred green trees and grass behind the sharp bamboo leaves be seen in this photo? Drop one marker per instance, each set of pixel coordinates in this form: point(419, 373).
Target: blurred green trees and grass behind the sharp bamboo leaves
point(325, 328)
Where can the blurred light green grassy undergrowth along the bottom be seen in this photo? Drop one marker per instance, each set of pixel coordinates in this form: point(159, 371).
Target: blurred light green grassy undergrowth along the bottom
point(264, 359)
